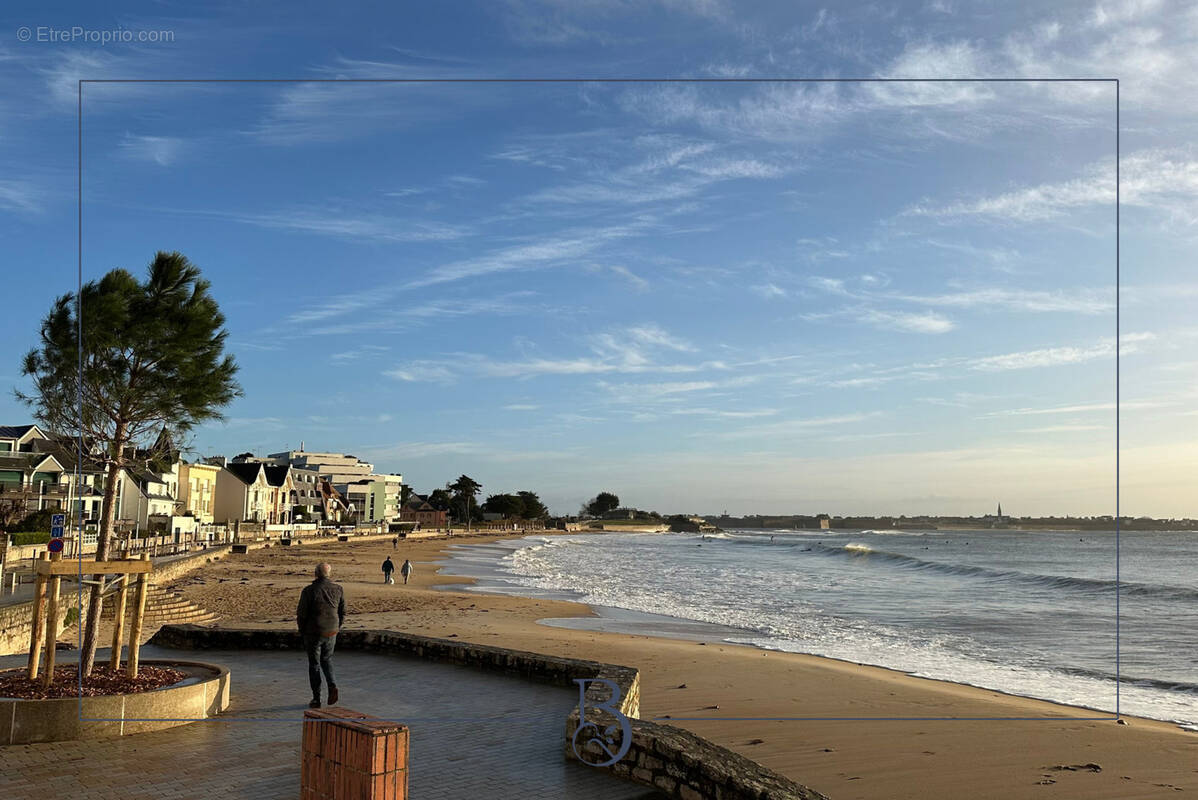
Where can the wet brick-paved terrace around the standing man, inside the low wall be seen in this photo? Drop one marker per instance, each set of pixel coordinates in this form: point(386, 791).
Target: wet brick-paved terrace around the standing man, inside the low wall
point(474, 735)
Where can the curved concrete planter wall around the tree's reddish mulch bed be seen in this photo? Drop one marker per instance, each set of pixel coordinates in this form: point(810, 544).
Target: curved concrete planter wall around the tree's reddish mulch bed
point(203, 695)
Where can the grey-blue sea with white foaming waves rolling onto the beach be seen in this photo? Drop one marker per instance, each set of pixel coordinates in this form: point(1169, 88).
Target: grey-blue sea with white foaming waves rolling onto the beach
point(1031, 614)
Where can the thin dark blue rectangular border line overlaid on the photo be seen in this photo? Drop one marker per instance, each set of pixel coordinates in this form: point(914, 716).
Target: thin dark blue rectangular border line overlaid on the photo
point(633, 81)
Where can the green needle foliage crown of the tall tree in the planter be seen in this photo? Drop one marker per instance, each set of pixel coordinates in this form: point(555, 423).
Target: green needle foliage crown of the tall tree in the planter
point(153, 359)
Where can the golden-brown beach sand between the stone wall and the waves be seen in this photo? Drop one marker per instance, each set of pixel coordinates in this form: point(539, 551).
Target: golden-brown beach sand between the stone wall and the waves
point(848, 760)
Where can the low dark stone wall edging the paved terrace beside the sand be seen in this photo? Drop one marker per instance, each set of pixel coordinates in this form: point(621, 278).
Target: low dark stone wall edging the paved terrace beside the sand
point(676, 762)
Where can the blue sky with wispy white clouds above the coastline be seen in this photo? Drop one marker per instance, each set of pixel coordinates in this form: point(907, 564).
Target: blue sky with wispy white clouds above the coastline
point(742, 295)
